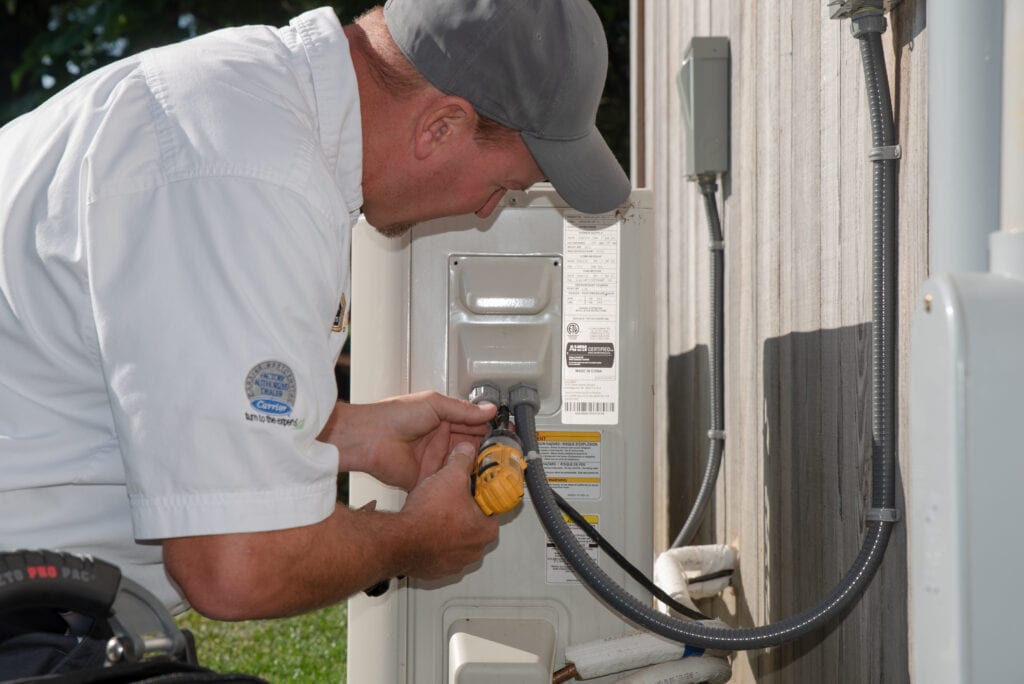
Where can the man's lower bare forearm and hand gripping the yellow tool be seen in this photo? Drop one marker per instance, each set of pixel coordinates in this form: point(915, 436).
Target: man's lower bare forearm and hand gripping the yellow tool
point(439, 533)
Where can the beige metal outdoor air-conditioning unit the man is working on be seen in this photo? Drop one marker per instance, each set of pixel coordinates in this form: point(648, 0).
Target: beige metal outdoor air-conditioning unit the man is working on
point(540, 294)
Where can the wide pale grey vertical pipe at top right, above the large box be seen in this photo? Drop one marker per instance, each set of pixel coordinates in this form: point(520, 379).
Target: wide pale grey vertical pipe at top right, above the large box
point(965, 83)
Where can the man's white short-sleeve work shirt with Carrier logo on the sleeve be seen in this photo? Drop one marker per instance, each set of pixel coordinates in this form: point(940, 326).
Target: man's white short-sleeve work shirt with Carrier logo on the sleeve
point(175, 286)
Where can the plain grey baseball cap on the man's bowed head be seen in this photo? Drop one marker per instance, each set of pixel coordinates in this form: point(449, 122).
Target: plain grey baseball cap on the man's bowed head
point(535, 66)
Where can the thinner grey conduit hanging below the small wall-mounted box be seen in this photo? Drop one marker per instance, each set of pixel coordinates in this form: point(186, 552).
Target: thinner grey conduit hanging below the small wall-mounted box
point(716, 379)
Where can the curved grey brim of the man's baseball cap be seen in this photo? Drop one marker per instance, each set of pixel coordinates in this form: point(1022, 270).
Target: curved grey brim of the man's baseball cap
point(584, 172)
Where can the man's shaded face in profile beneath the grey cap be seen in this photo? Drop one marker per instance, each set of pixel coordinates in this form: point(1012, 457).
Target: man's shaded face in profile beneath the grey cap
point(472, 183)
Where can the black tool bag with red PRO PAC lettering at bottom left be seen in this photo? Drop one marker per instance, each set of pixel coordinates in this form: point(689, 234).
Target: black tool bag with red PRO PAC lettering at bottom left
point(67, 619)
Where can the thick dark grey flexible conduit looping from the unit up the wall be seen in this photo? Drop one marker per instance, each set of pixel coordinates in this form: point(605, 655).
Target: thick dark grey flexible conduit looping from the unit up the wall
point(881, 518)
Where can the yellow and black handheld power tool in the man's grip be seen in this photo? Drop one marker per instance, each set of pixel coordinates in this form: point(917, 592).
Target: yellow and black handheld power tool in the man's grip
point(500, 469)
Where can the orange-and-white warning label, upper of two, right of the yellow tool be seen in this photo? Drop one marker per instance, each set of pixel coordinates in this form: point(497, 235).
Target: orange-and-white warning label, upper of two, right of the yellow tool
point(573, 463)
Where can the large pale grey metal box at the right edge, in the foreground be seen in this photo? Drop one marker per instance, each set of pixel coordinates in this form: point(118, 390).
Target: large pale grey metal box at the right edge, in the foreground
point(965, 476)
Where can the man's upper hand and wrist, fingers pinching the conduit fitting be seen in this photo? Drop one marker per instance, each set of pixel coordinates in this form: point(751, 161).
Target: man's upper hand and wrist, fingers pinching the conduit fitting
point(403, 441)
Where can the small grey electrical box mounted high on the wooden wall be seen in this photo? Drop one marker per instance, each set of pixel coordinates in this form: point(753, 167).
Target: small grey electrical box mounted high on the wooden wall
point(704, 94)
